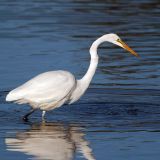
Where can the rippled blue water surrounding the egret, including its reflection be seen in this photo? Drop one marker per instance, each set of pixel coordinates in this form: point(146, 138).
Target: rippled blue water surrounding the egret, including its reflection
point(119, 116)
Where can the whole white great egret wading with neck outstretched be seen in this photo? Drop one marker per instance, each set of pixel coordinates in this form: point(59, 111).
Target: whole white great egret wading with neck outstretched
point(52, 89)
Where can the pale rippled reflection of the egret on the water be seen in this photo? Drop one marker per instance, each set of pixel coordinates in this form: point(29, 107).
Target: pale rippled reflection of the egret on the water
point(51, 141)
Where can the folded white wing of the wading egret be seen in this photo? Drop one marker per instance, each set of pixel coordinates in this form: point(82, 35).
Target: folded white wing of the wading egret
point(46, 87)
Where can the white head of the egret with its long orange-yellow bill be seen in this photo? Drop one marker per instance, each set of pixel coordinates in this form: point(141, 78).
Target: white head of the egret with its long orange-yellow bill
point(115, 39)
